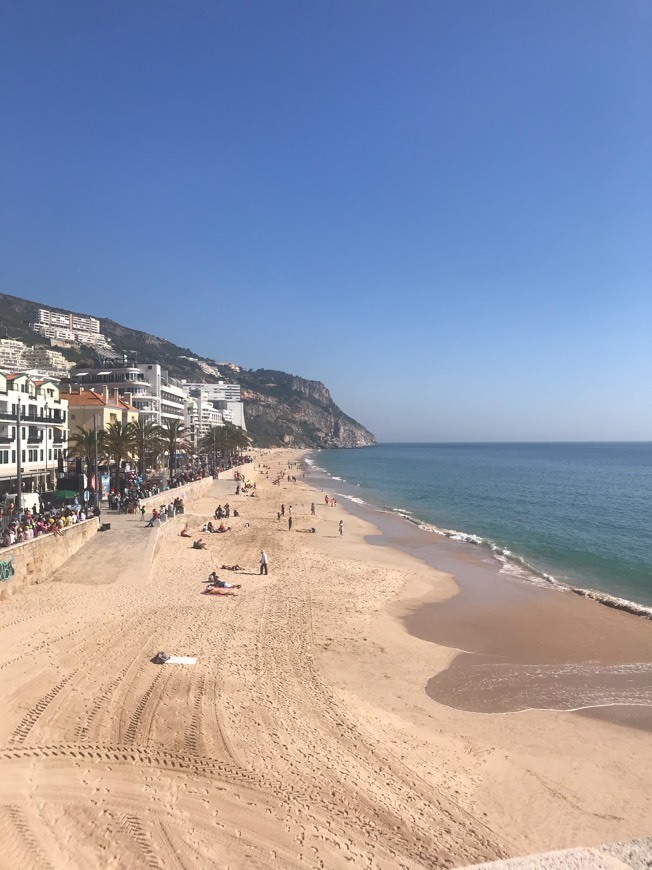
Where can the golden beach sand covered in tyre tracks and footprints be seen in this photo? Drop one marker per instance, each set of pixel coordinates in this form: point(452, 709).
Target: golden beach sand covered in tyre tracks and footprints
point(310, 732)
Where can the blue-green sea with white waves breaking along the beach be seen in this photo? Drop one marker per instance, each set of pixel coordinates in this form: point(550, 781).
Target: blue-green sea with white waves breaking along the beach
point(579, 514)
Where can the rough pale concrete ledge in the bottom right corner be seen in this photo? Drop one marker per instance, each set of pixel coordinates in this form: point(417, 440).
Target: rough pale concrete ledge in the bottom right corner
point(634, 855)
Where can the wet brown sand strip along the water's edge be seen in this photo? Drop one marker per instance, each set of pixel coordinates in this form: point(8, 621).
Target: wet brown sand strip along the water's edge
point(528, 646)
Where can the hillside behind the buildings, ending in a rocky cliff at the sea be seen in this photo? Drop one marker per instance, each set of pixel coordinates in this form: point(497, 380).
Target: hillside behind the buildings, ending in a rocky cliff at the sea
point(281, 409)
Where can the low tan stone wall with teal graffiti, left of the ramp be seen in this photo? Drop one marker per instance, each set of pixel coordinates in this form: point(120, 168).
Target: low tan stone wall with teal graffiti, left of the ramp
point(36, 561)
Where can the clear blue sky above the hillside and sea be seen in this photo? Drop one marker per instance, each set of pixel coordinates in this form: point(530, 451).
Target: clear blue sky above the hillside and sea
point(442, 210)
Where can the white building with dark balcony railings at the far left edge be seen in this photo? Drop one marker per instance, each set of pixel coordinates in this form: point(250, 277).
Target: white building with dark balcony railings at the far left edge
point(34, 405)
